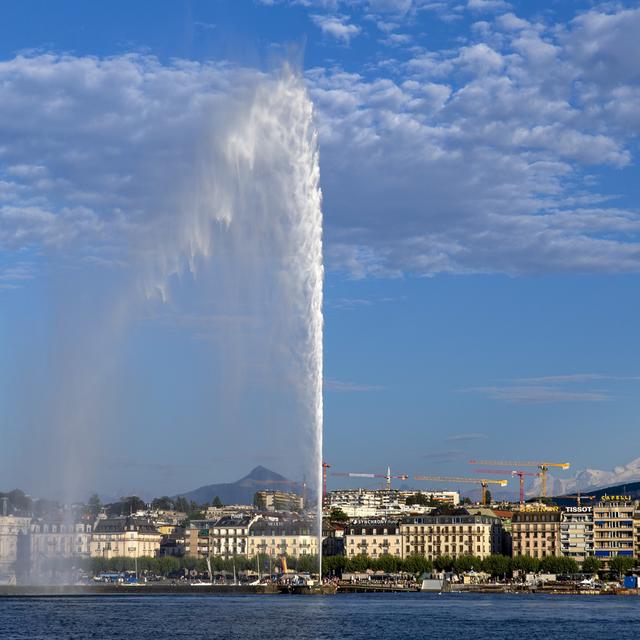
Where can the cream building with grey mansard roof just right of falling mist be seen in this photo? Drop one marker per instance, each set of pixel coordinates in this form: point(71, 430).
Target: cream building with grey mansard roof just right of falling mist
point(124, 536)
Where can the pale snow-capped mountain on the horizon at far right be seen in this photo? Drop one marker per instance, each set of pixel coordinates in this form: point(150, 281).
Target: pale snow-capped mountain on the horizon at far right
point(561, 483)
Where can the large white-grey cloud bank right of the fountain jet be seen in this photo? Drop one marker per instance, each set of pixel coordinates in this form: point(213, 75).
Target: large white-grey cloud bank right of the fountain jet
point(478, 160)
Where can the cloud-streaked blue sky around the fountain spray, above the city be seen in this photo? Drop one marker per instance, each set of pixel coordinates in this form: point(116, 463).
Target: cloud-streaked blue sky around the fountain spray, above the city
point(479, 167)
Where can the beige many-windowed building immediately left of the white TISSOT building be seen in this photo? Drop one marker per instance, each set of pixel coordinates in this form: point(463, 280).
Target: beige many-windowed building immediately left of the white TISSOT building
point(535, 533)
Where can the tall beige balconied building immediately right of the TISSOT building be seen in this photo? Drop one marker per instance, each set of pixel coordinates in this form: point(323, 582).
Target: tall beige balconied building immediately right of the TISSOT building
point(613, 527)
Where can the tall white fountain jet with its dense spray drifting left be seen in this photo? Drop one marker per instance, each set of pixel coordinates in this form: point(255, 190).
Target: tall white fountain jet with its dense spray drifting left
point(257, 188)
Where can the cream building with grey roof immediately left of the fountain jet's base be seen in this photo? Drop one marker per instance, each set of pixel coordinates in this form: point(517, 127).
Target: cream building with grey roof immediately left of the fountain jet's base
point(276, 537)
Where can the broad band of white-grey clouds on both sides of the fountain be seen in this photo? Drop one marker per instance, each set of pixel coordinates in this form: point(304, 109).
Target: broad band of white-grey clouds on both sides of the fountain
point(480, 159)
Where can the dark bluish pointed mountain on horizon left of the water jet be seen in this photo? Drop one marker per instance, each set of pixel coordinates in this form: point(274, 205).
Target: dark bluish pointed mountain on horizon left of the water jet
point(243, 490)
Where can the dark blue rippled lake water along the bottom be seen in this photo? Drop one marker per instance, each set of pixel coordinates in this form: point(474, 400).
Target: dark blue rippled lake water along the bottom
point(357, 616)
